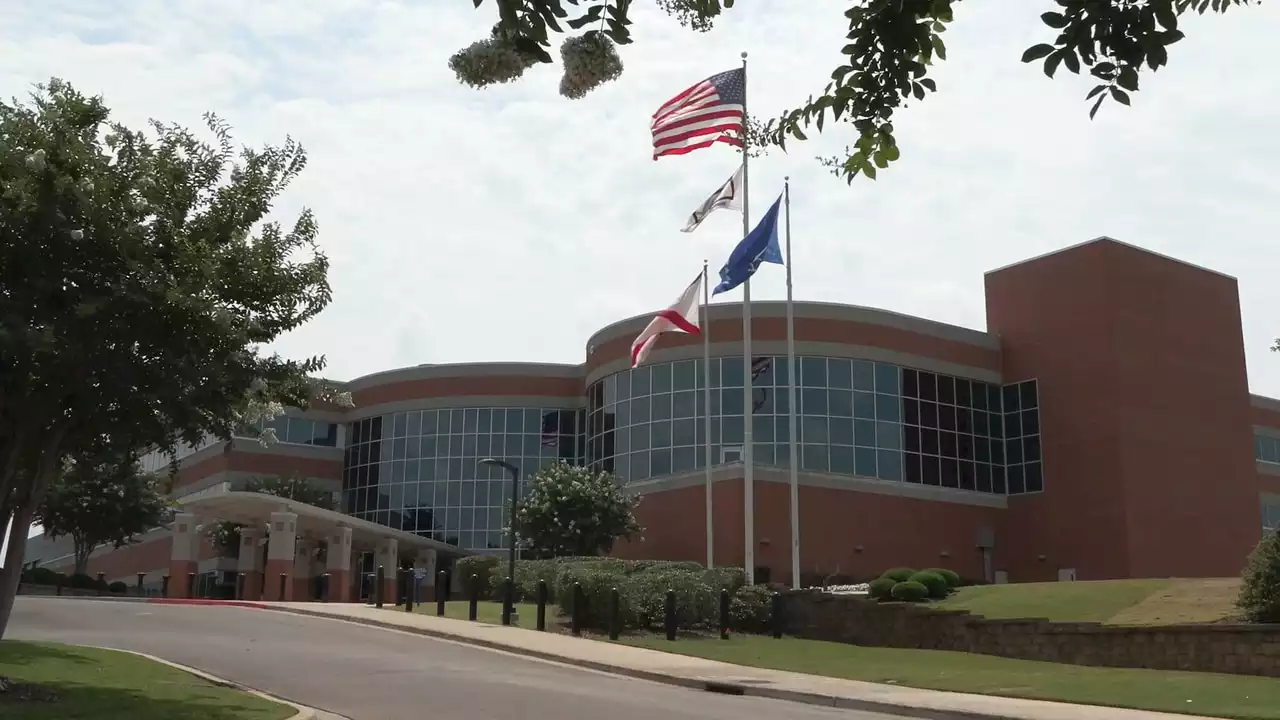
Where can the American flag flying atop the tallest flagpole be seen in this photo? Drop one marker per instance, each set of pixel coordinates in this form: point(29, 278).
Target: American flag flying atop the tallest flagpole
point(710, 112)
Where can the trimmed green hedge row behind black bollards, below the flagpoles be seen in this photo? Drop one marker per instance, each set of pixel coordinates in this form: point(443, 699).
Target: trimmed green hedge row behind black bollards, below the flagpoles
point(642, 587)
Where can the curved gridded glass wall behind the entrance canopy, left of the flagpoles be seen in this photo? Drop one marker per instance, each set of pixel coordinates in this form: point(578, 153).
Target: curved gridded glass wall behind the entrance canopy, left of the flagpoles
point(420, 471)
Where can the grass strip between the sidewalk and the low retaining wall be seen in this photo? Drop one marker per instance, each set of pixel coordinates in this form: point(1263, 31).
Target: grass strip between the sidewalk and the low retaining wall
point(1199, 694)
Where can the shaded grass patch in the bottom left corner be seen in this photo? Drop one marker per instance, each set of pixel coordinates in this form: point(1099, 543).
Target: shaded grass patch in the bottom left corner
point(98, 685)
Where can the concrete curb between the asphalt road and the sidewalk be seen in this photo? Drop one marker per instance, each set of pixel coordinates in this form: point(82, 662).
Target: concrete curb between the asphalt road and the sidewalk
point(679, 681)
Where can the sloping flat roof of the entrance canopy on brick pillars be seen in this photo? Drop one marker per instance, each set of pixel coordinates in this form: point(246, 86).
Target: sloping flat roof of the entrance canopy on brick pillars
point(313, 523)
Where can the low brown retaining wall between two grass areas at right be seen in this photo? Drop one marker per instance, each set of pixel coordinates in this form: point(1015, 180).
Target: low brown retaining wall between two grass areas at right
point(1245, 650)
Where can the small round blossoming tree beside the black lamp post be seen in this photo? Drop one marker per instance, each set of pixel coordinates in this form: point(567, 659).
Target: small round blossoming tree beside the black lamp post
point(573, 512)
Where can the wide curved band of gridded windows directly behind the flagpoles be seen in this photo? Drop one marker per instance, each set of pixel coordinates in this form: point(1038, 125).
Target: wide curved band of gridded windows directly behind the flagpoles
point(856, 418)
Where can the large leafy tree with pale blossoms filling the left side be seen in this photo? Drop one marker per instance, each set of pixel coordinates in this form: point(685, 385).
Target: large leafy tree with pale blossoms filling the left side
point(139, 285)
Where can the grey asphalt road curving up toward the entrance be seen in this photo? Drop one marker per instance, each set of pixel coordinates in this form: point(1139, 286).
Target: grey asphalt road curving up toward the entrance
point(373, 675)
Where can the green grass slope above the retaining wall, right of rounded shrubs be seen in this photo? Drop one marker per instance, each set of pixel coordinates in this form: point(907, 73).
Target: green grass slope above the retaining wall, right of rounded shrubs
point(1066, 603)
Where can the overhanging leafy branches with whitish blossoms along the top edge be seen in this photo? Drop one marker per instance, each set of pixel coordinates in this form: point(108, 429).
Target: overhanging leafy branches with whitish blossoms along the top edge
point(890, 47)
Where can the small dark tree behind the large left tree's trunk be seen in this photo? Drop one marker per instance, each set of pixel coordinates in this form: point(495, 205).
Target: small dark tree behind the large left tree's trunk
point(102, 500)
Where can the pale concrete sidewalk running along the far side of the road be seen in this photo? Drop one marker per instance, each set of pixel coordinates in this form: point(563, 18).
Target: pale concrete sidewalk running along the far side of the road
point(717, 677)
